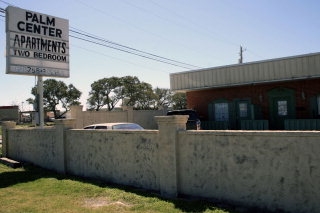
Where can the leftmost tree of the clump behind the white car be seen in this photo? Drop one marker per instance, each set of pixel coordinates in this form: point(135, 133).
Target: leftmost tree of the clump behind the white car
point(106, 91)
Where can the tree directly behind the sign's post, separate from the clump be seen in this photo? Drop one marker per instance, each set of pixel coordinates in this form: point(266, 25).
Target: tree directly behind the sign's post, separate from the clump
point(55, 93)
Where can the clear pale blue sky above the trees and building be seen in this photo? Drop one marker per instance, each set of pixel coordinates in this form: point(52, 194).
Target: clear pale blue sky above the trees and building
point(202, 33)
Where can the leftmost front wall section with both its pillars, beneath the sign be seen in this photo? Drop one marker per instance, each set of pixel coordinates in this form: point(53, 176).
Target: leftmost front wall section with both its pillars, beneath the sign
point(43, 147)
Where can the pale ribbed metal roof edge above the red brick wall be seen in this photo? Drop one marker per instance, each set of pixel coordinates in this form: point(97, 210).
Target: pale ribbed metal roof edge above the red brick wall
point(280, 69)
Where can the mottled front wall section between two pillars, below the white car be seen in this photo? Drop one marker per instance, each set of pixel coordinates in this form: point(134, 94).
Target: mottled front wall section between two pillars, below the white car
point(123, 157)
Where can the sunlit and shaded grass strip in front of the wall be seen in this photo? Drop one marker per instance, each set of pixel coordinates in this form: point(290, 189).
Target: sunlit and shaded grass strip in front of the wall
point(32, 189)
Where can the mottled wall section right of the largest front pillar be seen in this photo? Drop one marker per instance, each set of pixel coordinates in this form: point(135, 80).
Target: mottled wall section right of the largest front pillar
point(273, 170)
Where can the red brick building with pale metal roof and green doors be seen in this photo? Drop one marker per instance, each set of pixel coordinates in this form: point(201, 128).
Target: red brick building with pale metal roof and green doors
point(276, 94)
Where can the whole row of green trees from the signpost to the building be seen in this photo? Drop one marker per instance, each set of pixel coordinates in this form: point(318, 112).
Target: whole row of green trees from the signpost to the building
point(108, 92)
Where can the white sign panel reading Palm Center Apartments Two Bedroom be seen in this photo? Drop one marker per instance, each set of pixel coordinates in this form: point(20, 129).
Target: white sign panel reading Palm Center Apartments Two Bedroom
point(37, 44)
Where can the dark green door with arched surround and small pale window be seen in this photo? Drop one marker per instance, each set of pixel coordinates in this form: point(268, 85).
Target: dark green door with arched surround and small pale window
point(281, 107)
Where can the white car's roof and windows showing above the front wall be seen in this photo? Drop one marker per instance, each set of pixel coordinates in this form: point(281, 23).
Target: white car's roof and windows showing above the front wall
point(115, 126)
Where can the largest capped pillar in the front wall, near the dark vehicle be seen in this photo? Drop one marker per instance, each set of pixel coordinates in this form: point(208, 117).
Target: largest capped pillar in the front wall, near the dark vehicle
point(169, 126)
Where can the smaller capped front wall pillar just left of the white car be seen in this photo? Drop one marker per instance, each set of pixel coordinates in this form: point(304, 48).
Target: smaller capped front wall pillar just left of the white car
point(61, 126)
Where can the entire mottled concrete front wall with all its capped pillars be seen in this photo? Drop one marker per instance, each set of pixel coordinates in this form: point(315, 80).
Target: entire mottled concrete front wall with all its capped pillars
point(268, 169)
